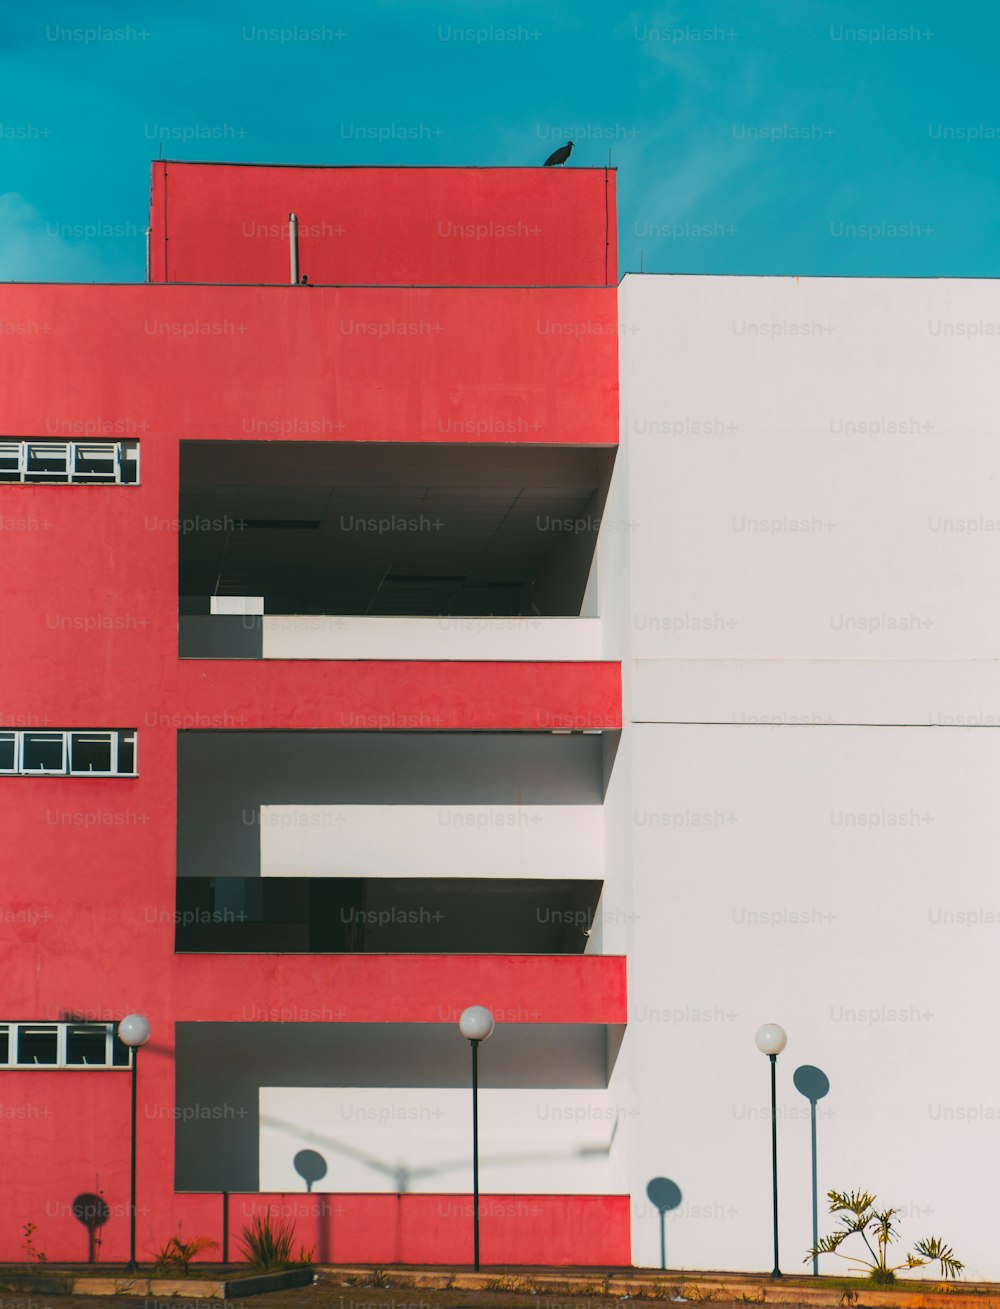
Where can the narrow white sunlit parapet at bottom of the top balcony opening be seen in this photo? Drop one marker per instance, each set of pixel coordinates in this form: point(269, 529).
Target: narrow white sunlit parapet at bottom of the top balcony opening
point(323, 637)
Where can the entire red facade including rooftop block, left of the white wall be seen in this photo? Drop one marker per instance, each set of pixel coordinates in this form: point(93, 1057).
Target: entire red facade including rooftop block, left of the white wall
point(465, 310)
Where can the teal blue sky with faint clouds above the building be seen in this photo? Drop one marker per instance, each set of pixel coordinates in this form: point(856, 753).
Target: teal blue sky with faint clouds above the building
point(772, 138)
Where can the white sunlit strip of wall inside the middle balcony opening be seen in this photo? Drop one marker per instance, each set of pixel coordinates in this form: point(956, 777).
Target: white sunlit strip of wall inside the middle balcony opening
point(433, 841)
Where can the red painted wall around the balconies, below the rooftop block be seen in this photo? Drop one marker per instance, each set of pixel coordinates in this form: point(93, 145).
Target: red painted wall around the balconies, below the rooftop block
point(90, 639)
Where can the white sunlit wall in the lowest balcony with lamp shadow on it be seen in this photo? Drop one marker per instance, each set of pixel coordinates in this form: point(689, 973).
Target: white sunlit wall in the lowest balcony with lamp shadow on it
point(420, 1139)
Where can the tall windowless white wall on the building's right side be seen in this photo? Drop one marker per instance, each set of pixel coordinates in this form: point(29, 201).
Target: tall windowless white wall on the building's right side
point(811, 680)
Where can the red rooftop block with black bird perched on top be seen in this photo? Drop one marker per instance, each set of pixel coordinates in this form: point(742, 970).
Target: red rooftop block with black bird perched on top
point(456, 227)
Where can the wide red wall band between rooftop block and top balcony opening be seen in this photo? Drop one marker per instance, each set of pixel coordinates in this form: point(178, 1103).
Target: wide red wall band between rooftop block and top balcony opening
point(310, 363)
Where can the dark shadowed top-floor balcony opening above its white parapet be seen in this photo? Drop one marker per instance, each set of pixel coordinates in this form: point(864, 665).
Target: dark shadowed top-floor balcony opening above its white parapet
point(348, 529)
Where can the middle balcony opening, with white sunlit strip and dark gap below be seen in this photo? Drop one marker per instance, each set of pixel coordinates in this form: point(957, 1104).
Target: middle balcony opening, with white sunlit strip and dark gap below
point(389, 842)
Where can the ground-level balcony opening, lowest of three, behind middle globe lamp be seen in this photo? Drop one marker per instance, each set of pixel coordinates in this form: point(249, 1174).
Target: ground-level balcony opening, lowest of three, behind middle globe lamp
point(387, 1105)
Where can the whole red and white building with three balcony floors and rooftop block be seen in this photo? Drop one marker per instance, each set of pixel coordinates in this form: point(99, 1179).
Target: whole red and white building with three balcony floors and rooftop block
point(404, 615)
